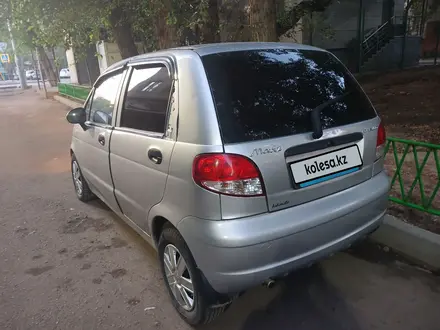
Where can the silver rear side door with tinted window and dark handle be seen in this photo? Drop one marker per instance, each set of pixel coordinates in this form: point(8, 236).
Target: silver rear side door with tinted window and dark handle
point(142, 144)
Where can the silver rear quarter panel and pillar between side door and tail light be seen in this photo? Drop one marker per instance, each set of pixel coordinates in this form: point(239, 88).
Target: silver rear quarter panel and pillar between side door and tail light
point(197, 132)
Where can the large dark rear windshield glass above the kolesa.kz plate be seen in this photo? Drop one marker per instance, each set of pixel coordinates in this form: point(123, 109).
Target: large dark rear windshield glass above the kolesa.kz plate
point(264, 94)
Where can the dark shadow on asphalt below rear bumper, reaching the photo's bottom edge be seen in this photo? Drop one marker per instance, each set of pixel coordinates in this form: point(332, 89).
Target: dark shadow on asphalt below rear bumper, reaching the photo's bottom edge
point(302, 301)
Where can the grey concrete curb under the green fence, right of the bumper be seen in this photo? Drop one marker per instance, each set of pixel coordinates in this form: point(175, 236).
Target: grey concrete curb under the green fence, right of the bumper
point(420, 245)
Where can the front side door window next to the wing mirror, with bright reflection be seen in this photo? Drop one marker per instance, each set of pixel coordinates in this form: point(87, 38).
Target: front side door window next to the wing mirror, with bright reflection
point(104, 98)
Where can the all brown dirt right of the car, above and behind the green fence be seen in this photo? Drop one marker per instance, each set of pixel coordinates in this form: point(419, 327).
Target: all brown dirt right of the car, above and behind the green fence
point(409, 104)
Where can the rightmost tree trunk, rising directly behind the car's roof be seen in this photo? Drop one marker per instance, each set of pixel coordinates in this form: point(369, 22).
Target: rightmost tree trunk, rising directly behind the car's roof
point(263, 17)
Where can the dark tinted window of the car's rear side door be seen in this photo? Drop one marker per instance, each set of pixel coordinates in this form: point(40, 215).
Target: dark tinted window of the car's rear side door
point(146, 100)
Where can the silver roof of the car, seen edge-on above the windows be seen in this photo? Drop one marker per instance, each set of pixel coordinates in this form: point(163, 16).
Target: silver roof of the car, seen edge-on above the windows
point(207, 49)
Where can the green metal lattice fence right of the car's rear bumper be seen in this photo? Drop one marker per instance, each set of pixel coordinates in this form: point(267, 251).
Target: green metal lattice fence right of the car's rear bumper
point(414, 168)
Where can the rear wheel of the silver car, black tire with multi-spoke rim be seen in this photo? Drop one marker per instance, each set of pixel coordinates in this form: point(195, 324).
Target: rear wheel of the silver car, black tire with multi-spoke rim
point(204, 308)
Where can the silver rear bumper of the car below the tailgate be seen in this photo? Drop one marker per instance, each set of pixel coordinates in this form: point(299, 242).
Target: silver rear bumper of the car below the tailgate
point(237, 254)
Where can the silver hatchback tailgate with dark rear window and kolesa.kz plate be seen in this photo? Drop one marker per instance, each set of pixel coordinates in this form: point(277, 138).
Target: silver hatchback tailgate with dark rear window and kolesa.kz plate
point(264, 99)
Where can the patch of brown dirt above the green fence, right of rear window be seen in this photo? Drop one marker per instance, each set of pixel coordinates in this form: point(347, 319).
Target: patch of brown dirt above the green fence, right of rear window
point(408, 102)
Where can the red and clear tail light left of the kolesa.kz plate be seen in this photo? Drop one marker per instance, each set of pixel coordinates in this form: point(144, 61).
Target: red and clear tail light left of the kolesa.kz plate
point(228, 174)
